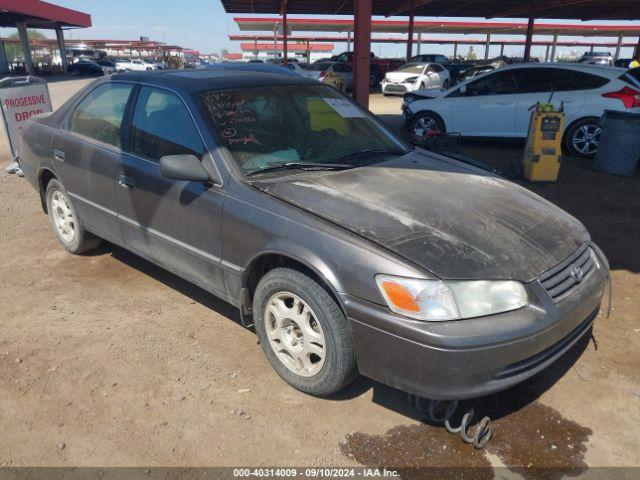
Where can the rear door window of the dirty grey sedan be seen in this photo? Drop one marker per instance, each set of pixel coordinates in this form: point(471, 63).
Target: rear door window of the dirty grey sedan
point(99, 115)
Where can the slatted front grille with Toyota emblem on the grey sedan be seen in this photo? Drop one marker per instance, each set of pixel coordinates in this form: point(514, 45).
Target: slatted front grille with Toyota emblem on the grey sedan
point(560, 281)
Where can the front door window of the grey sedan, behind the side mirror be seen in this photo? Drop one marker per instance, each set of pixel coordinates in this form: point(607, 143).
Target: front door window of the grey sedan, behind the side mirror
point(163, 126)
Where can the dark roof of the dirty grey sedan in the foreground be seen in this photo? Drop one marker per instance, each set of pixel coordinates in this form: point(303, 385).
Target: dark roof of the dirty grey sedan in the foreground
point(209, 79)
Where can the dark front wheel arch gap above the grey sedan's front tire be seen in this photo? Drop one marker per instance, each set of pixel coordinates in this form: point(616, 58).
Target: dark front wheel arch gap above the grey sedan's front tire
point(261, 265)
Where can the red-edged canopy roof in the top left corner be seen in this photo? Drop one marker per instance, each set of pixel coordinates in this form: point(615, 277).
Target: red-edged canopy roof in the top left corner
point(39, 14)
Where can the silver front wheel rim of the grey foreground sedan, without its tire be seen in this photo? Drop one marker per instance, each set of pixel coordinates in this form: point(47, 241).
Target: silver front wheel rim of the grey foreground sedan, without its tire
point(295, 334)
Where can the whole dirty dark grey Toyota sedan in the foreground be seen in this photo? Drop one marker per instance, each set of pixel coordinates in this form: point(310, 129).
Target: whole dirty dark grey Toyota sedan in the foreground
point(349, 251)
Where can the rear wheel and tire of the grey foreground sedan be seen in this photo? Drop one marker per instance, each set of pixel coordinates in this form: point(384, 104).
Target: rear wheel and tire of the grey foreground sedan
point(65, 221)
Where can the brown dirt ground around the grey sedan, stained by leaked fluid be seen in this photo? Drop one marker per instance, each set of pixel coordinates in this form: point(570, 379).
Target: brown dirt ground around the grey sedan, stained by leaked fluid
point(107, 360)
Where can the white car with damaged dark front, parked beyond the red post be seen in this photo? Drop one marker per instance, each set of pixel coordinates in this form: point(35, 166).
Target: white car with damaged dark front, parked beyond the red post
point(415, 76)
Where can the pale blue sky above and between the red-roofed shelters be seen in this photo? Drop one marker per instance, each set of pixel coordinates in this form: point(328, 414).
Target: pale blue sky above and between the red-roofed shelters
point(203, 25)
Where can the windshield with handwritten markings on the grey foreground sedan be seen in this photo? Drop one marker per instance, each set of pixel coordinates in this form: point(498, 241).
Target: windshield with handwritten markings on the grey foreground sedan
point(267, 127)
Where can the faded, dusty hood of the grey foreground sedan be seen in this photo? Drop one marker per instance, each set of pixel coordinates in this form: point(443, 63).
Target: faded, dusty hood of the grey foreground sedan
point(454, 220)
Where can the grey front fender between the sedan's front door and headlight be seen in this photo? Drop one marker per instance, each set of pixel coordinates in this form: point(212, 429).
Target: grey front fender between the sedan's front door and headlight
point(256, 223)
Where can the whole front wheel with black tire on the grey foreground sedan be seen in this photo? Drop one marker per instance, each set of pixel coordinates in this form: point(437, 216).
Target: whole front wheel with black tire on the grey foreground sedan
point(294, 315)
